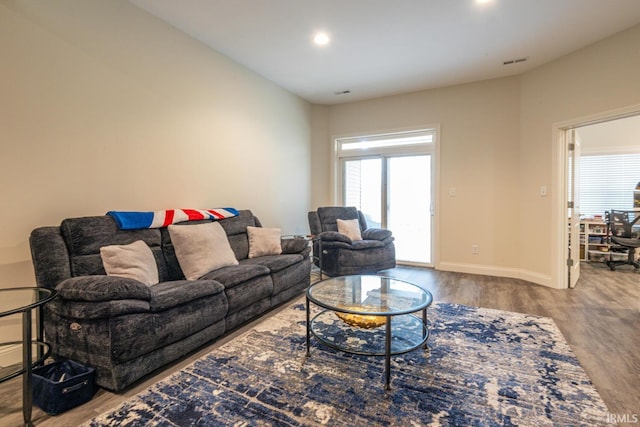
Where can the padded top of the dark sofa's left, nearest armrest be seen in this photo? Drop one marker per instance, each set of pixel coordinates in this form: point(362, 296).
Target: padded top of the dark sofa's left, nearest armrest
point(102, 288)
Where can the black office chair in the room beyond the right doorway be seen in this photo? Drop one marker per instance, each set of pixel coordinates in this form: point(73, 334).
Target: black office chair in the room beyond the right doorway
point(623, 238)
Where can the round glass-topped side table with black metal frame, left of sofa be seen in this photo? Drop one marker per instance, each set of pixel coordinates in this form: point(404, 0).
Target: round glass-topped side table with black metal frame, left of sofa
point(24, 300)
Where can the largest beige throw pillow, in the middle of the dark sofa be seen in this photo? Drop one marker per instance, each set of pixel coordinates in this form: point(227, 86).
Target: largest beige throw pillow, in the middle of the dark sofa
point(201, 248)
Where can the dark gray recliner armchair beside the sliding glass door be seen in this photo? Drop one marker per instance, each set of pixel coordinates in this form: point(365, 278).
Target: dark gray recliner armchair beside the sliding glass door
point(340, 255)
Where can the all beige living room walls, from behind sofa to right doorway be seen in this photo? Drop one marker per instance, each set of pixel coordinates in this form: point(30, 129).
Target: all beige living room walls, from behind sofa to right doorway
point(105, 107)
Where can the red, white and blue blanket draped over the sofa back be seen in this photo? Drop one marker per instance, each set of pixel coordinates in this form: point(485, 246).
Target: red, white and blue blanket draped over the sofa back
point(138, 220)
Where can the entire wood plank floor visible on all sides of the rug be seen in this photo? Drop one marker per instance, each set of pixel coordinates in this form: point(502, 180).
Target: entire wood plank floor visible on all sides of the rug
point(600, 319)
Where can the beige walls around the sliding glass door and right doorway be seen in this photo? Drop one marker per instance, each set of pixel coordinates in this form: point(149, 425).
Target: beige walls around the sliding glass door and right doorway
point(497, 149)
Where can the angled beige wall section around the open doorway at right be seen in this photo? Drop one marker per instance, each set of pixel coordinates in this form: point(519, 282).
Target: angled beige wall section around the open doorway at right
point(590, 82)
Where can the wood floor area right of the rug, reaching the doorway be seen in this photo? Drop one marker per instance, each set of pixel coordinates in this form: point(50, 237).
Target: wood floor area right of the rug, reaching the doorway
point(600, 319)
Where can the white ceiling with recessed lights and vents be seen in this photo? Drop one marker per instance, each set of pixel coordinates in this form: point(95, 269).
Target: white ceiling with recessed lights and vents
point(384, 47)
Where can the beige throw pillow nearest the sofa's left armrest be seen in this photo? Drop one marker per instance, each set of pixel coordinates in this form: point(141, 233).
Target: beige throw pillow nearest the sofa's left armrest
point(134, 261)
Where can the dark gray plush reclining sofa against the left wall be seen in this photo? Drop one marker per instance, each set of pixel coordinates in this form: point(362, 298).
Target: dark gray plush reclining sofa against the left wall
point(125, 329)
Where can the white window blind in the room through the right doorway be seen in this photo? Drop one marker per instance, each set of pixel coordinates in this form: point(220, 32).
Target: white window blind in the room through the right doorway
point(608, 182)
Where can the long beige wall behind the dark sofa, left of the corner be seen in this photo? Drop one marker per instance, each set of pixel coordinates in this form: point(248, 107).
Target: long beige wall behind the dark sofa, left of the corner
point(104, 107)
